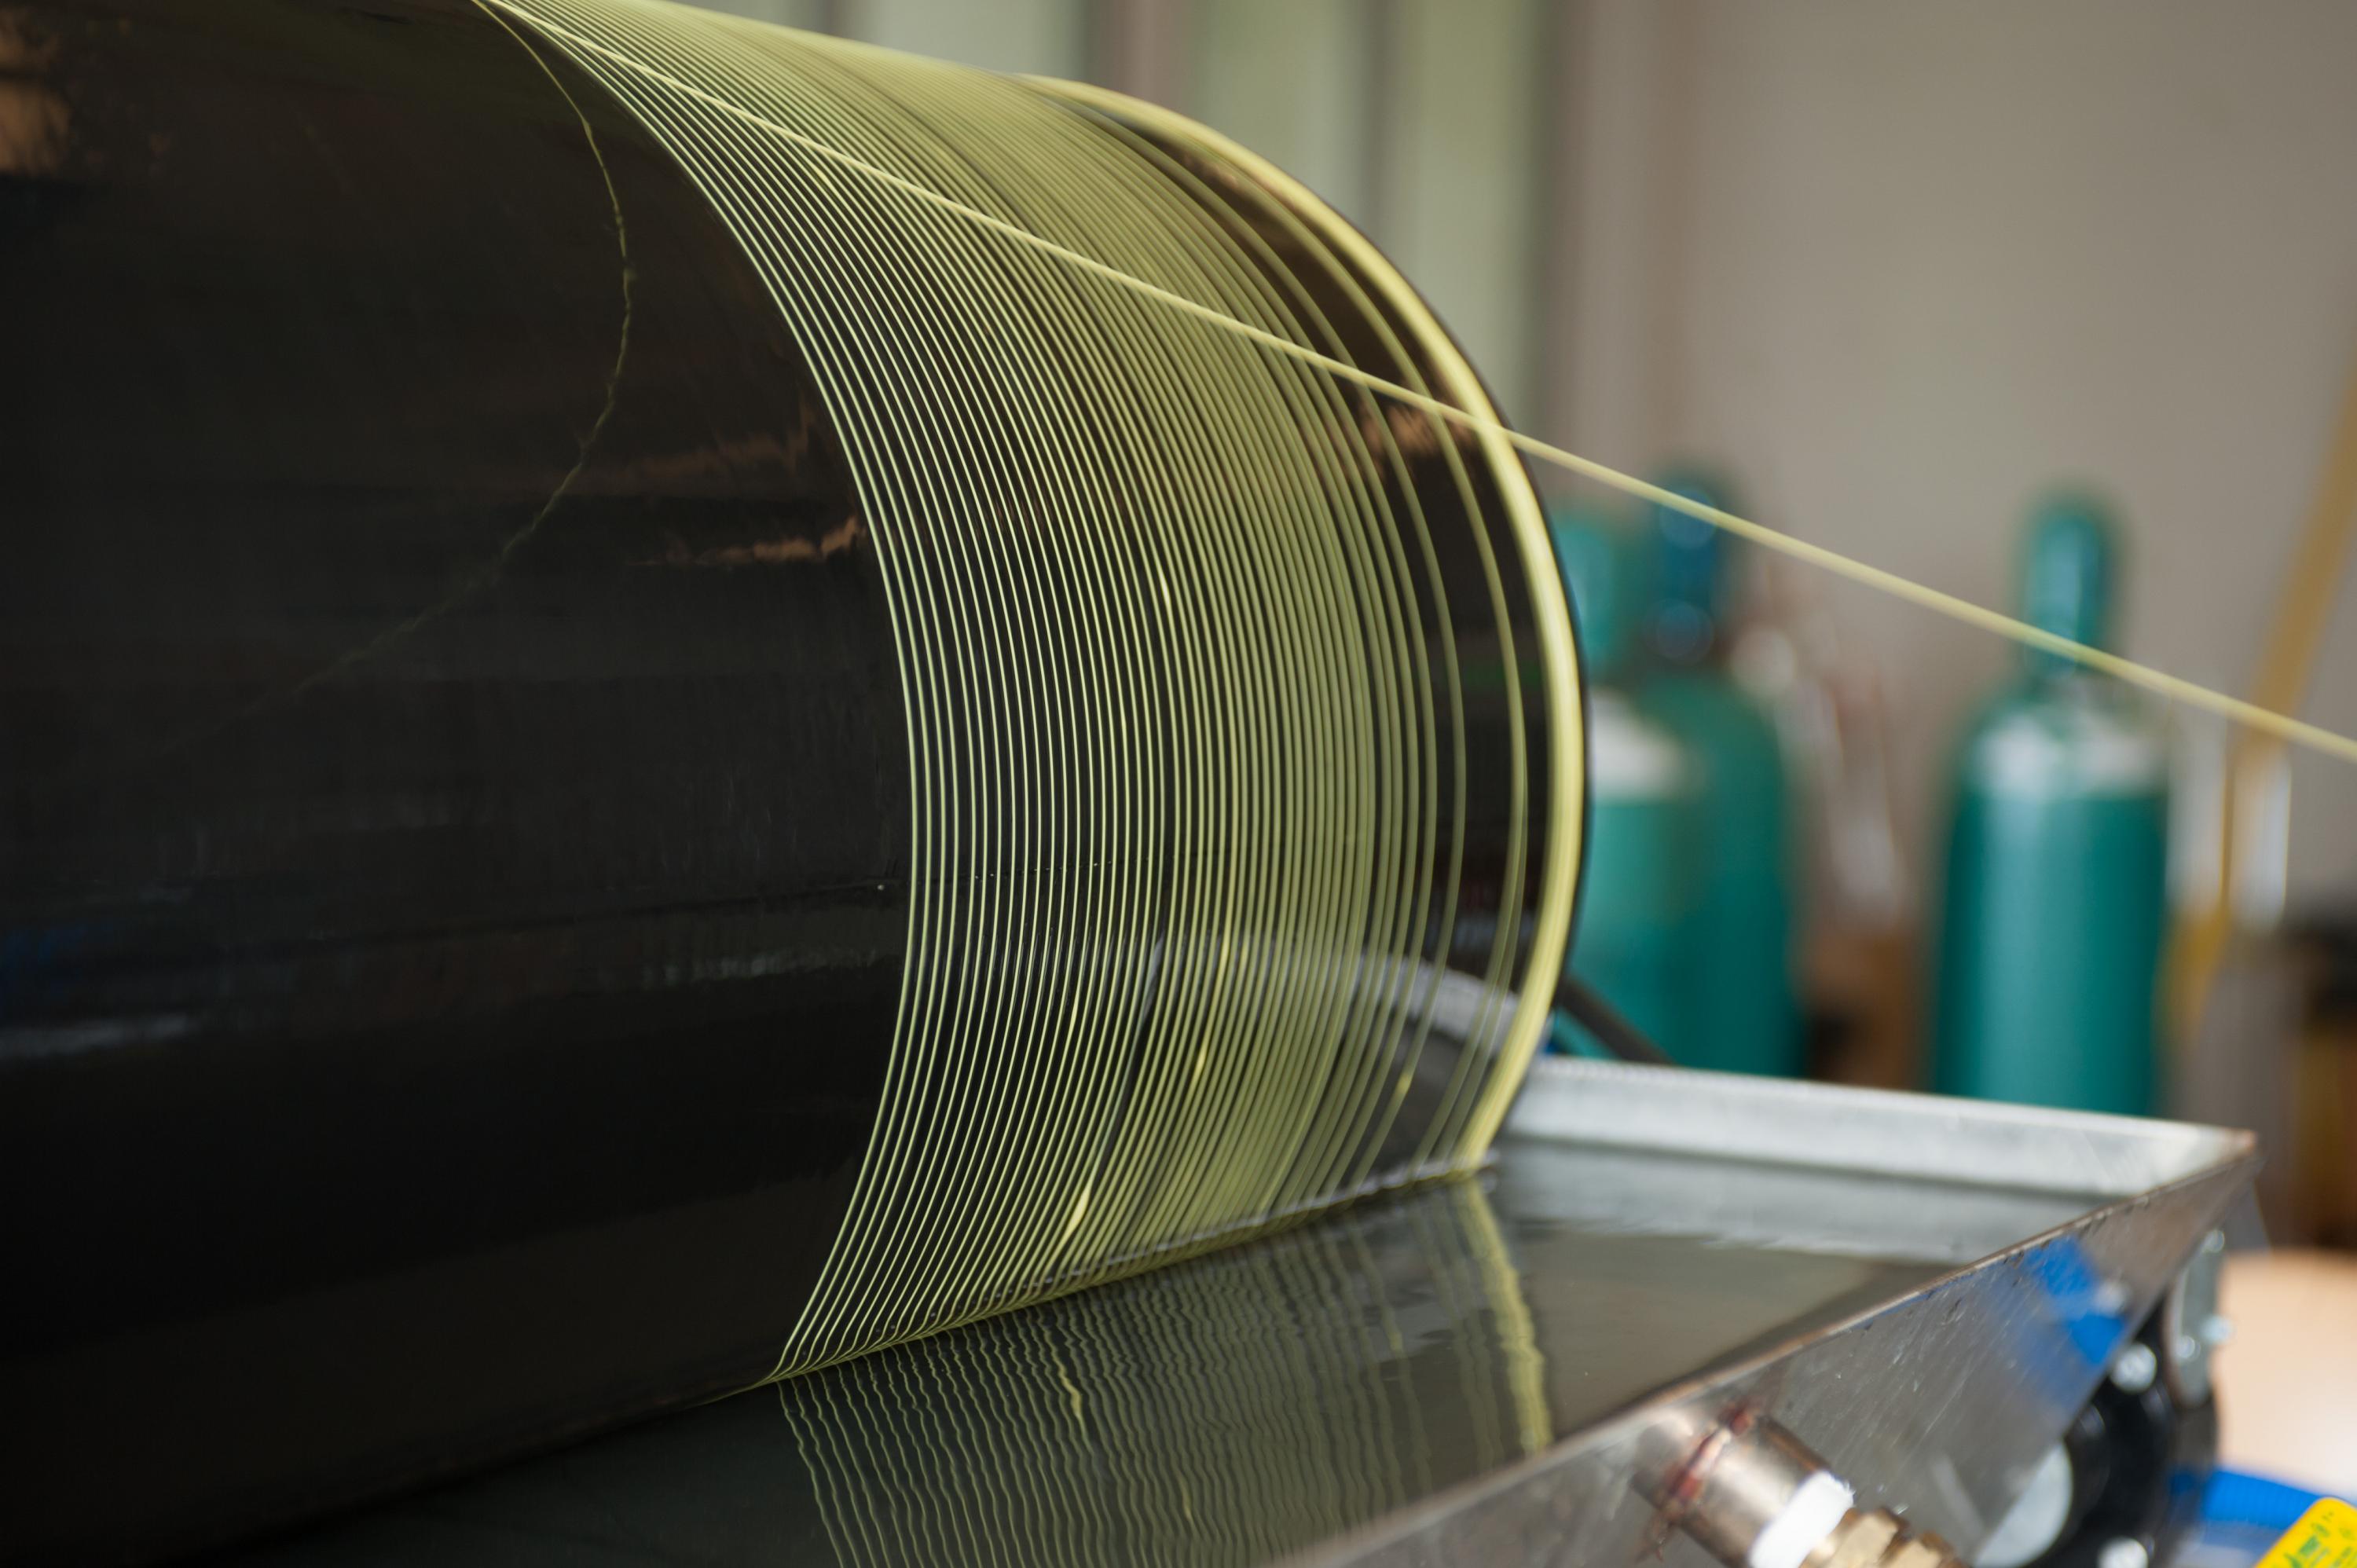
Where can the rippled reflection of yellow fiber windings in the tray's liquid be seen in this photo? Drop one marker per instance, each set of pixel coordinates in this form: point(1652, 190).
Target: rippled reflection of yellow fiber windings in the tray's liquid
point(1227, 1411)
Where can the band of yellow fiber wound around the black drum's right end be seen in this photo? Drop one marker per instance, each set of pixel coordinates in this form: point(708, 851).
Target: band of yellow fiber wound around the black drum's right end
point(1182, 668)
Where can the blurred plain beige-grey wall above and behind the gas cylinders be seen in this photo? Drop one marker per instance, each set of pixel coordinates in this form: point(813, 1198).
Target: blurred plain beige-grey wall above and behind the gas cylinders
point(1908, 263)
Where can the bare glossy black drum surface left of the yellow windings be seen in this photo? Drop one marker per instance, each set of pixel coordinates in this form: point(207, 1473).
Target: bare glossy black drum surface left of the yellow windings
point(451, 904)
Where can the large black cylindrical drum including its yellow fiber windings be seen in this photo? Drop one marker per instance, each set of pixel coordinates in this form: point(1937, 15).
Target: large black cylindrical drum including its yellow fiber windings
point(680, 699)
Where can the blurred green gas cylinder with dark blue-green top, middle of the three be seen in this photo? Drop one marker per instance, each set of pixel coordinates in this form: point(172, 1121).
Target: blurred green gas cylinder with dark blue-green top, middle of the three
point(1748, 1010)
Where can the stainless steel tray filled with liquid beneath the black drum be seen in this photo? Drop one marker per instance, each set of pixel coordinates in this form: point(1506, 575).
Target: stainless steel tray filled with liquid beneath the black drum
point(1924, 1291)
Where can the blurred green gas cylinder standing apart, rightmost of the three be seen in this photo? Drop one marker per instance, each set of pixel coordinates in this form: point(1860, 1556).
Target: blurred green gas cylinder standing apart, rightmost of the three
point(2056, 859)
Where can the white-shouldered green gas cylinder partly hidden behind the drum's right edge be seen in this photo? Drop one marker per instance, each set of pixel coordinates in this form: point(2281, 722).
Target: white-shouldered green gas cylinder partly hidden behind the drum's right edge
point(1637, 902)
